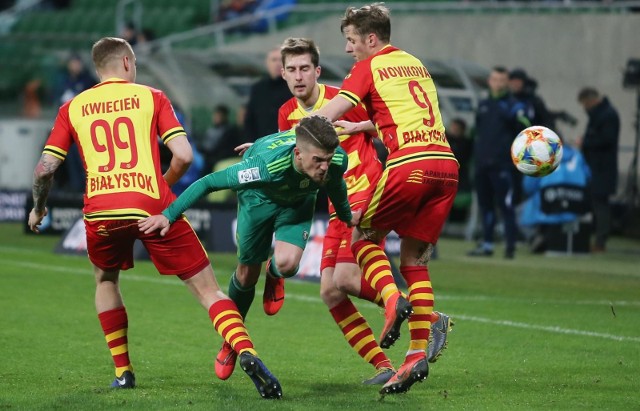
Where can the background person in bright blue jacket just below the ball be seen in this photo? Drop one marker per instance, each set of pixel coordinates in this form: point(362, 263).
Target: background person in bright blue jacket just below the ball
point(573, 171)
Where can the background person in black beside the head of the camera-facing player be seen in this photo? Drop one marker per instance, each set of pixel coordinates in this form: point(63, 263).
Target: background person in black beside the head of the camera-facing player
point(266, 97)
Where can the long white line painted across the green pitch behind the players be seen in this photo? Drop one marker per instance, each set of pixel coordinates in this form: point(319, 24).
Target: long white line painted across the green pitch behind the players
point(171, 280)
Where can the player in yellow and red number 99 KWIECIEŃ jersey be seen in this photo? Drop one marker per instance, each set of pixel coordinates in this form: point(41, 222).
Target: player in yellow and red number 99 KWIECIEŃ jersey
point(115, 126)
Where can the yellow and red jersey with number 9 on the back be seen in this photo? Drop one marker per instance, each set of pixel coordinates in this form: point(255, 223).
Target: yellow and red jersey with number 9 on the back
point(400, 97)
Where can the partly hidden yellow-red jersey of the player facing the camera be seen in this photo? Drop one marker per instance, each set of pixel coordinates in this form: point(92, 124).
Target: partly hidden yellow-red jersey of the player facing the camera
point(364, 167)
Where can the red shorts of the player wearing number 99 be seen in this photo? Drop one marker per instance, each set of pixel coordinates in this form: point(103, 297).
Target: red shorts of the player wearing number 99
point(110, 247)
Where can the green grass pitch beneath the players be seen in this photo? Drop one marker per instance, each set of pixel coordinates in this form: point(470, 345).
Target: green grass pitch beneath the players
point(531, 333)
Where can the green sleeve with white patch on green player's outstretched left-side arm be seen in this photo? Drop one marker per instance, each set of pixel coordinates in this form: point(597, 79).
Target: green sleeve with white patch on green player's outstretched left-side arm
point(249, 173)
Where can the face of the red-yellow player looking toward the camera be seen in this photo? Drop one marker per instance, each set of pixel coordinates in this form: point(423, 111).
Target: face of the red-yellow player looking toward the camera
point(301, 77)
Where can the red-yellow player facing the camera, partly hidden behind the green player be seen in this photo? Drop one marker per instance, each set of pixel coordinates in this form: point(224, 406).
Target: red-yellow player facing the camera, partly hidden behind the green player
point(340, 274)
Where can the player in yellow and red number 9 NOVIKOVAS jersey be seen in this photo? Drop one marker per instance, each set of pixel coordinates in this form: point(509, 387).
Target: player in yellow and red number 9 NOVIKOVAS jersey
point(416, 192)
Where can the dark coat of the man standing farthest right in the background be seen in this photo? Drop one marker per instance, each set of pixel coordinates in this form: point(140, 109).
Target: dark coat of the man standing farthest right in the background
point(600, 147)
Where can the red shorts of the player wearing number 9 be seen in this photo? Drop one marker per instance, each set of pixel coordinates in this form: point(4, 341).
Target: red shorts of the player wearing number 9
point(414, 199)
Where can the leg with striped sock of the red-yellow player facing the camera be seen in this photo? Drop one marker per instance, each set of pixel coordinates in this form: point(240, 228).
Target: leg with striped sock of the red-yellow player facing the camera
point(339, 270)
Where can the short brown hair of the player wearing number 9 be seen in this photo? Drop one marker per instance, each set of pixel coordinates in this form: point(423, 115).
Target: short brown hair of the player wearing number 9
point(373, 18)
